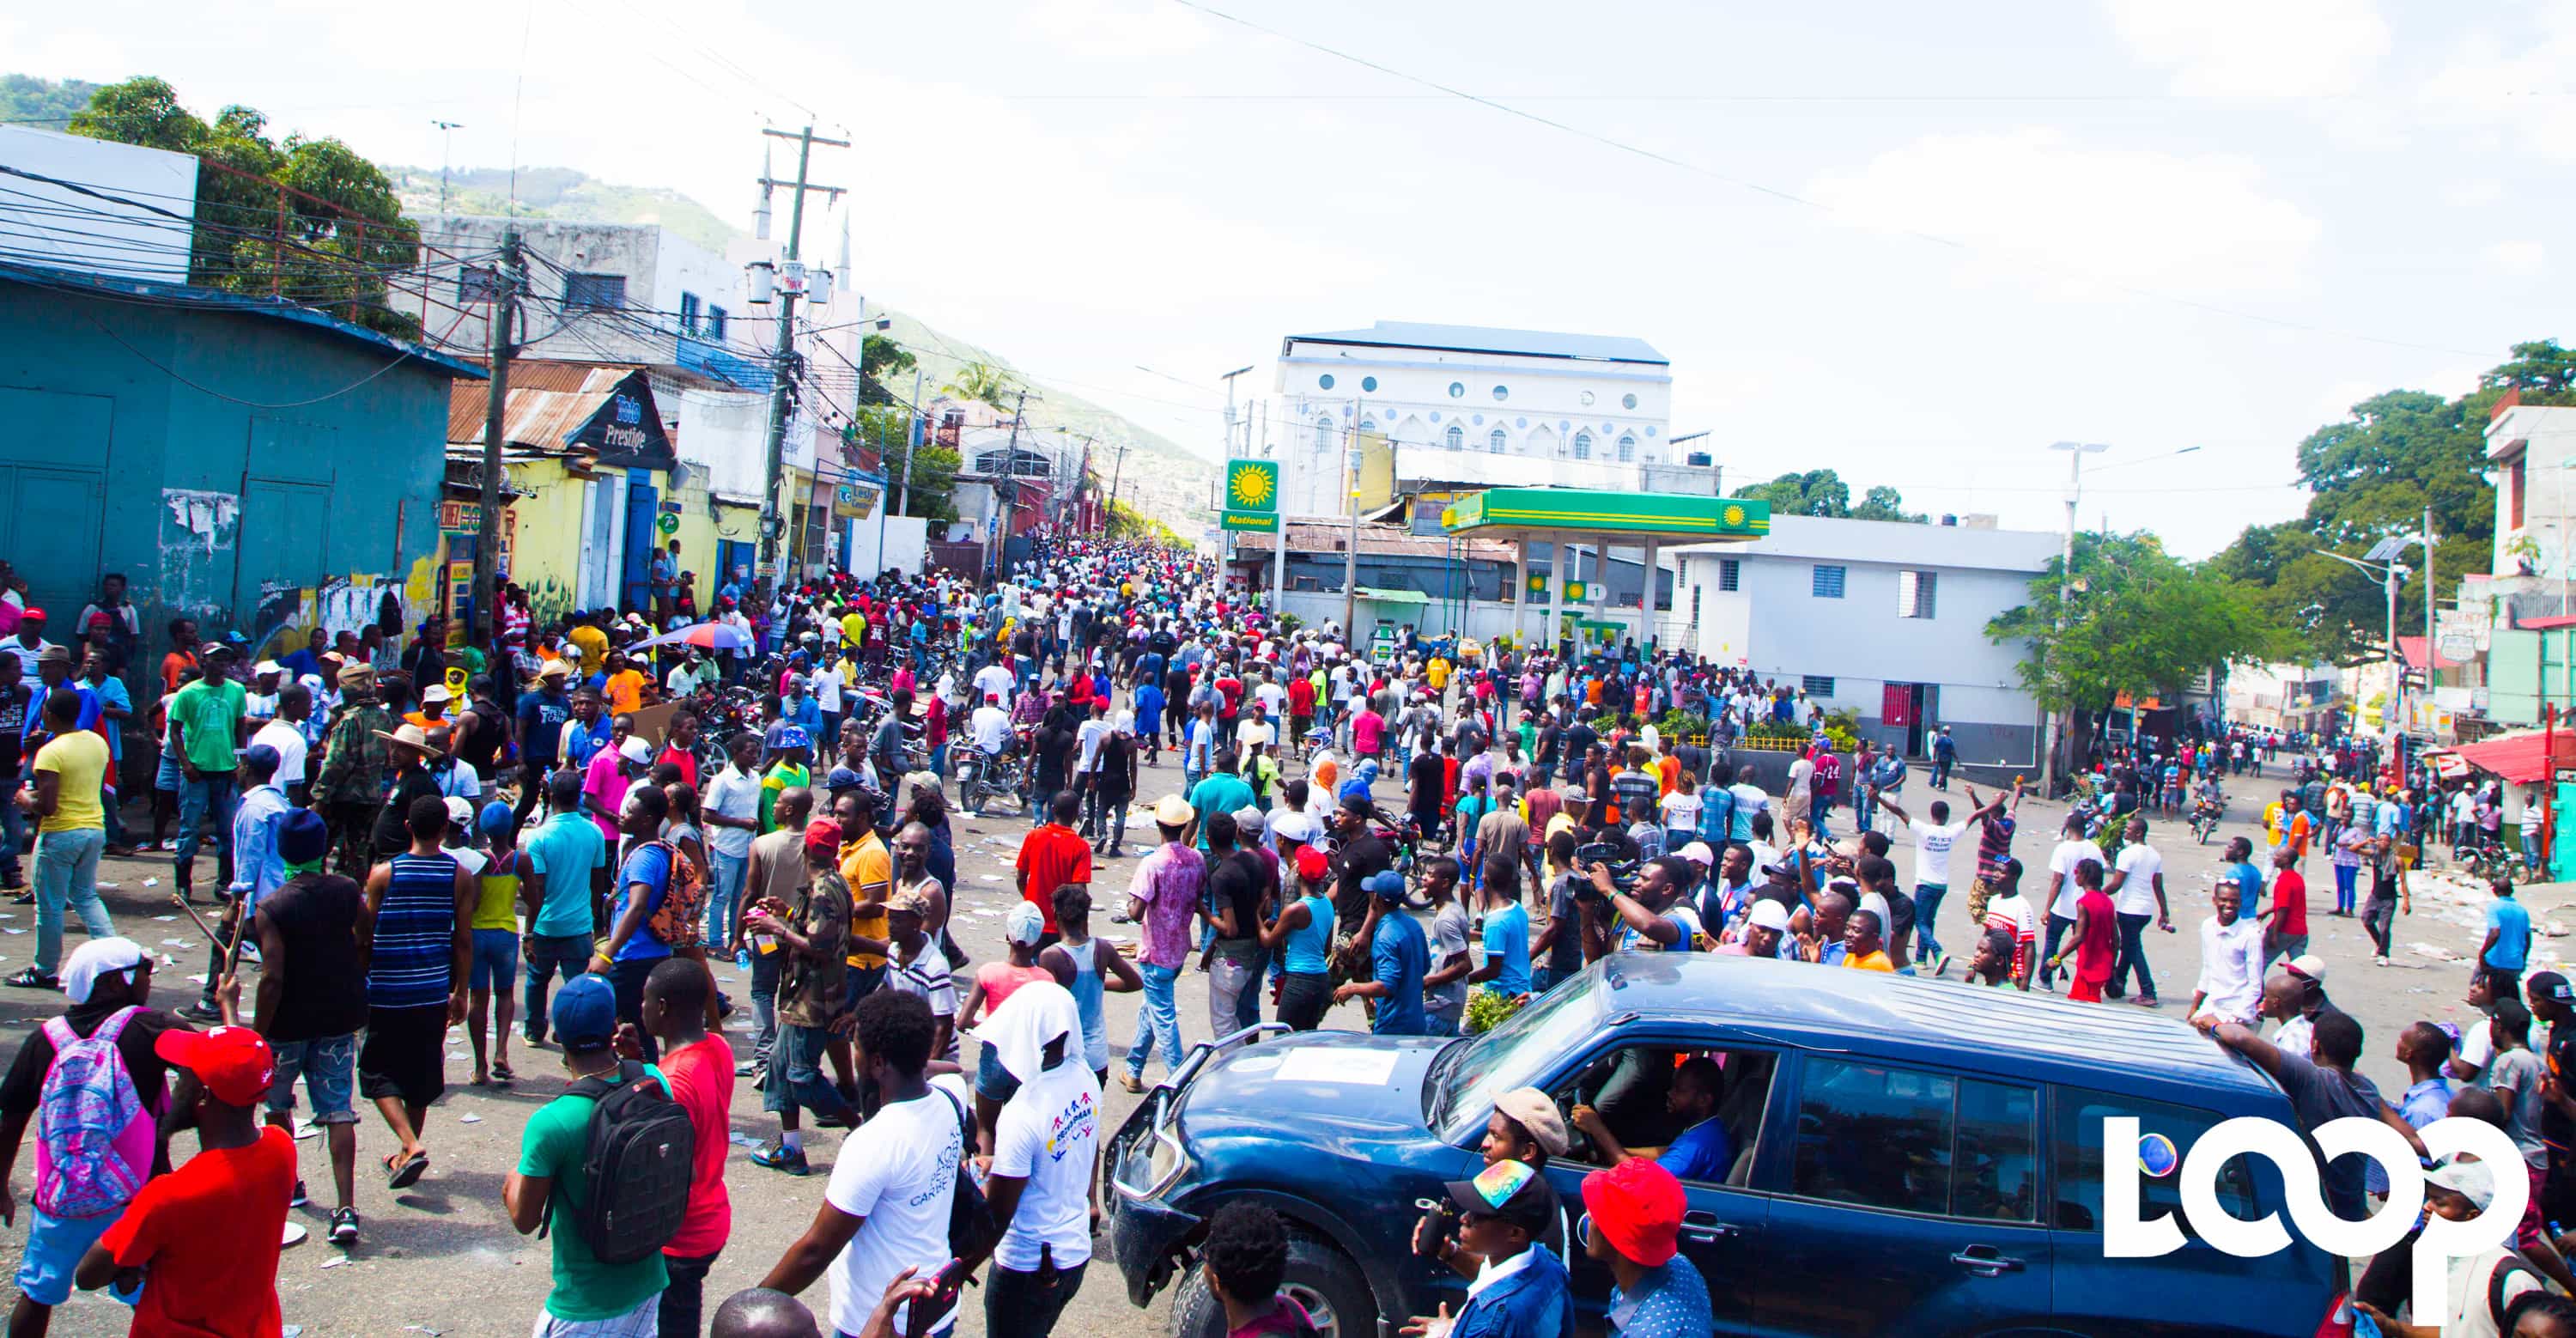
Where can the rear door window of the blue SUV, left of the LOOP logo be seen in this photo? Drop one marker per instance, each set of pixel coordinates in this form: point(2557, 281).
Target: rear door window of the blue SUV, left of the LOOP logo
point(1918, 1143)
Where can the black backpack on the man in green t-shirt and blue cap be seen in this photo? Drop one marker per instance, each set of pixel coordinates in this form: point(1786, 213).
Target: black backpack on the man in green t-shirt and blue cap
point(640, 1159)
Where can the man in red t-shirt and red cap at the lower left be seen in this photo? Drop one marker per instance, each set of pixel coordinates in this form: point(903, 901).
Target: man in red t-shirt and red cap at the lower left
point(205, 1239)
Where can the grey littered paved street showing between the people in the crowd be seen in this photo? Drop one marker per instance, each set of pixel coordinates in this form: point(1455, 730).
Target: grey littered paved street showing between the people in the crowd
point(444, 1262)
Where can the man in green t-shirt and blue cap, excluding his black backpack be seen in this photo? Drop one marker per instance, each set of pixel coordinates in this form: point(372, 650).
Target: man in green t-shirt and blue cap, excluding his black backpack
point(553, 1185)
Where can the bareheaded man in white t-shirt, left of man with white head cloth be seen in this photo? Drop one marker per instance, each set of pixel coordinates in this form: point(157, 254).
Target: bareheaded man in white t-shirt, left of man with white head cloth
point(887, 1205)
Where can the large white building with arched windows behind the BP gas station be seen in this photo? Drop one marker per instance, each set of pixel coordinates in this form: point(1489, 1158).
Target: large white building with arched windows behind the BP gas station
point(1470, 406)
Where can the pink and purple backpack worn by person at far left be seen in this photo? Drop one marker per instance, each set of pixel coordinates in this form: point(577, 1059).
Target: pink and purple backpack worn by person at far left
point(89, 1102)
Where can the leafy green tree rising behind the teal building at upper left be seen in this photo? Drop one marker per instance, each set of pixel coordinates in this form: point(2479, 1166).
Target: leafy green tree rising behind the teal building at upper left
point(313, 220)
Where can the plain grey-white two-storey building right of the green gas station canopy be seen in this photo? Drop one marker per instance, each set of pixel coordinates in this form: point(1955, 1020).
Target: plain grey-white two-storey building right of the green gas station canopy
point(1877, 617)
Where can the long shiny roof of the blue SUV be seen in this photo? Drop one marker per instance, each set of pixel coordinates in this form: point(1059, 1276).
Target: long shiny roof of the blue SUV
point(1987, 1030)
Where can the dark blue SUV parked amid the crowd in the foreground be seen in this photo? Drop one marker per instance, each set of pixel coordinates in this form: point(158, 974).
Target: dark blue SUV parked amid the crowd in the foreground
point(1910, 1156)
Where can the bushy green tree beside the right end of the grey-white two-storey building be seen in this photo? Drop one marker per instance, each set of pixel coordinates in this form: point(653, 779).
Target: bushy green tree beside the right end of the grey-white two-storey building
point(2137, 623)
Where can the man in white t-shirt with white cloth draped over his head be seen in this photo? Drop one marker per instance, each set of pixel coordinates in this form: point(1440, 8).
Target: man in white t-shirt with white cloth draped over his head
point(1045, 1149)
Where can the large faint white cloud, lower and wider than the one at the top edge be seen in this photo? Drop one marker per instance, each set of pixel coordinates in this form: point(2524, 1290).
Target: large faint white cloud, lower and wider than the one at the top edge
point(2031, 200)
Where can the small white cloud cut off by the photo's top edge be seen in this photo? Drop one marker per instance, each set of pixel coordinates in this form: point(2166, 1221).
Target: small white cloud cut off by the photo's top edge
point(2255, 48)
